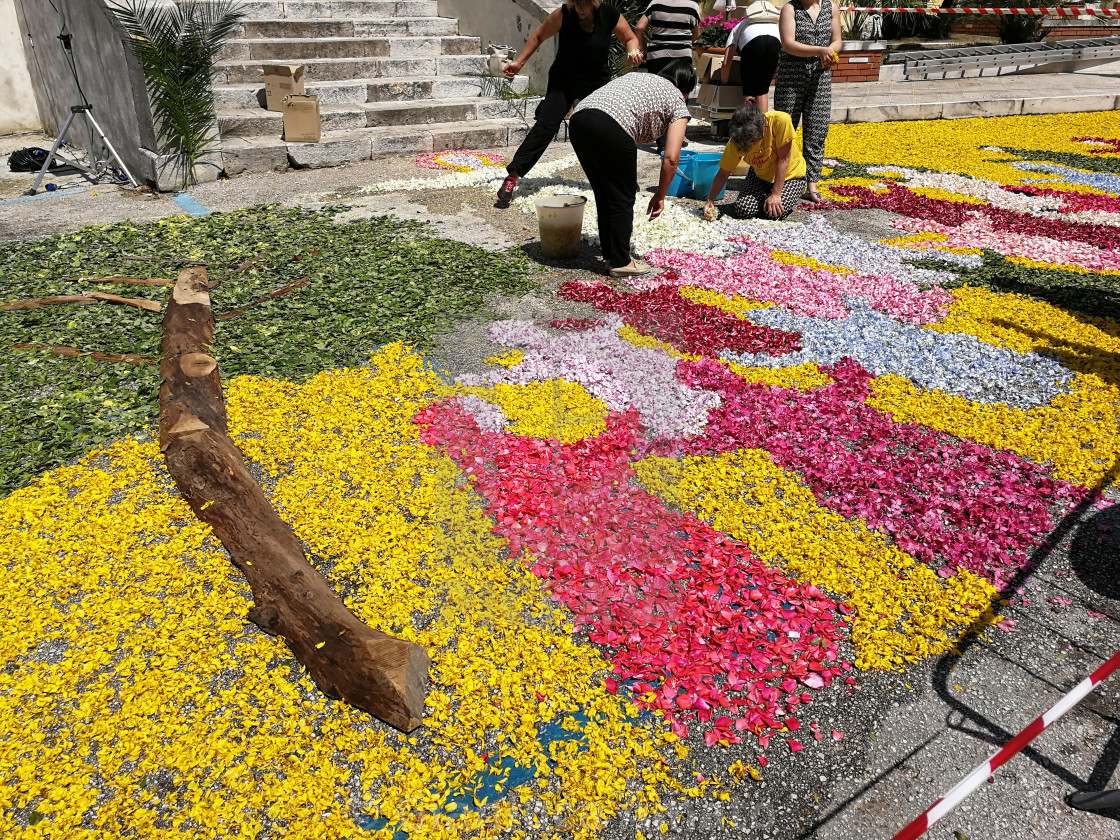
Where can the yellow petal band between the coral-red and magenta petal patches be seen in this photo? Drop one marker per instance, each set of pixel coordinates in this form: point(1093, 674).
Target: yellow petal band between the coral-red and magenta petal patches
point(902, 611)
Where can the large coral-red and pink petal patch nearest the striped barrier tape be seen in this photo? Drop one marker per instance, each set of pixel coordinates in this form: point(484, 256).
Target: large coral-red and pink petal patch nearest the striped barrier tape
point(708, 632)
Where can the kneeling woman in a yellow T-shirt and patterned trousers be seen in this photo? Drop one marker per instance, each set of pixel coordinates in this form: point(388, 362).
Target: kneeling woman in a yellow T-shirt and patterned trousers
point(777, 181)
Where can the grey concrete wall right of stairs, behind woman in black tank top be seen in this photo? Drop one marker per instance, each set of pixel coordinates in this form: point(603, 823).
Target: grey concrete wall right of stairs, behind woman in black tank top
point(511, 23)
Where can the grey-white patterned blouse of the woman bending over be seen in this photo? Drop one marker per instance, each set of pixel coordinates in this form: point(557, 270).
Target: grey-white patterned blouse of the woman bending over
point(642, 104)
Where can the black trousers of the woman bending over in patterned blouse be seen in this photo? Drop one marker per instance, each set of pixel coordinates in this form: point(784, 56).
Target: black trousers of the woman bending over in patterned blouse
point(610, 160)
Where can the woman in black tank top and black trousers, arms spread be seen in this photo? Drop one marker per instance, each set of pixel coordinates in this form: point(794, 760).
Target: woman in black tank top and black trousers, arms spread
point(585, 29)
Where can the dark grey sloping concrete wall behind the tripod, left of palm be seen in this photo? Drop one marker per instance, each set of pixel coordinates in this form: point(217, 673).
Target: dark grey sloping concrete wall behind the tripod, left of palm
point(109, 76)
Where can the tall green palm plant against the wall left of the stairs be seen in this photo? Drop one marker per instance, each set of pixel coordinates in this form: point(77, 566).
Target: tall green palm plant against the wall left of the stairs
point(176, 43)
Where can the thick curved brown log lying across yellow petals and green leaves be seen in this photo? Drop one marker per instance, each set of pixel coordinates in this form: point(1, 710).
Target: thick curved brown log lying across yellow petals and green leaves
point(348, 660)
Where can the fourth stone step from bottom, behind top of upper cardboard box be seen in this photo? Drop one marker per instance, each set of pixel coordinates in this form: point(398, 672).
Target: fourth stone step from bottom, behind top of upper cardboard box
point(334, 70)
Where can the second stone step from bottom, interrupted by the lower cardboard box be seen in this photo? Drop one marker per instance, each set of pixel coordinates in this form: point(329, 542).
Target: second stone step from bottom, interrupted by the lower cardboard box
point(256, 123)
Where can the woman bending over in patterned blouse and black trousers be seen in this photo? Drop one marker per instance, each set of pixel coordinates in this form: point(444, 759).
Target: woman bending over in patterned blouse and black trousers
point(606, 130)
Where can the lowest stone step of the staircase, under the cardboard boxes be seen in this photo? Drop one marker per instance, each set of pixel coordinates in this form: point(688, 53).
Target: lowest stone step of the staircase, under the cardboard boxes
point(337, 148)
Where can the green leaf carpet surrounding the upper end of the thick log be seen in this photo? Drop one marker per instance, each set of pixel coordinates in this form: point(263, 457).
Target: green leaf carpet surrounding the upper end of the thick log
point(371, 283)
